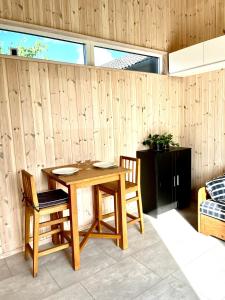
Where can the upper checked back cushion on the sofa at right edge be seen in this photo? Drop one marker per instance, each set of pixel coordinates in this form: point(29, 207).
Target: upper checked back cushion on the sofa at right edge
point(216, 188)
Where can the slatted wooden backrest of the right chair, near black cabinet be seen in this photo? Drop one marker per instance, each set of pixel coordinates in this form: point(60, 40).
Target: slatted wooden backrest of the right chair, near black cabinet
point(133, 164)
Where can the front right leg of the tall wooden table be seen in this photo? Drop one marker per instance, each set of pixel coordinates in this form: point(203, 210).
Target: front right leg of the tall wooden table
point(122, 213)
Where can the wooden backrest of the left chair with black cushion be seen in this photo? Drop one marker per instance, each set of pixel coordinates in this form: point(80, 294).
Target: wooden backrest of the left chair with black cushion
point(29, 188)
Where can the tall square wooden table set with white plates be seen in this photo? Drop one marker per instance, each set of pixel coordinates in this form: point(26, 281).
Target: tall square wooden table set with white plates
point(90, 176)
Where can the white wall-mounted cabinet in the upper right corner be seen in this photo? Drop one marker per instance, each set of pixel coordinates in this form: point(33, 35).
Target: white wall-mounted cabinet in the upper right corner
point(203, 57)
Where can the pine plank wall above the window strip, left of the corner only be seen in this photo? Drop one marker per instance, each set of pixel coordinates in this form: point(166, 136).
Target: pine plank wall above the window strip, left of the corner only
point(141, 22)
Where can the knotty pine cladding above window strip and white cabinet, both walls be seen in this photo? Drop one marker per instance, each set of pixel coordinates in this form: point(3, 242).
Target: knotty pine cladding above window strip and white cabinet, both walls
point(159, 24)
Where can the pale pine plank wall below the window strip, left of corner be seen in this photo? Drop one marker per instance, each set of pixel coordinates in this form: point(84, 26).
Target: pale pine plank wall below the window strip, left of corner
point(54, 114)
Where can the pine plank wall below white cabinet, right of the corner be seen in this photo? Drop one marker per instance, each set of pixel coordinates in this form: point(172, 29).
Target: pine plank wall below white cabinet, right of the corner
point(204, 124)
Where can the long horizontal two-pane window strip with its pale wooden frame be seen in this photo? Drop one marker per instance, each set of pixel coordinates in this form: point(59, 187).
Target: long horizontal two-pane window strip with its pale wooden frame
point(53, 44)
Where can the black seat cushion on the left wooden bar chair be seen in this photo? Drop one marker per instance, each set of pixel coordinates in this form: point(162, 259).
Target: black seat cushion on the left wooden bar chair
point(53, 197)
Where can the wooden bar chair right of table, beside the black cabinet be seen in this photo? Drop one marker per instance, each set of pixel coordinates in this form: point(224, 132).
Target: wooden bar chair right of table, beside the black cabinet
point(132, 185)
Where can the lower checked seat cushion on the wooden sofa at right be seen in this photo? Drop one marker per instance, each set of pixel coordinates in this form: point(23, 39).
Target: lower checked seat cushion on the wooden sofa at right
point(213, 209)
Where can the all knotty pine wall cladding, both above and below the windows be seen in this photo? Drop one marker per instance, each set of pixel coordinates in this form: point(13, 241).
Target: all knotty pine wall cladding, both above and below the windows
point(33, 93)
